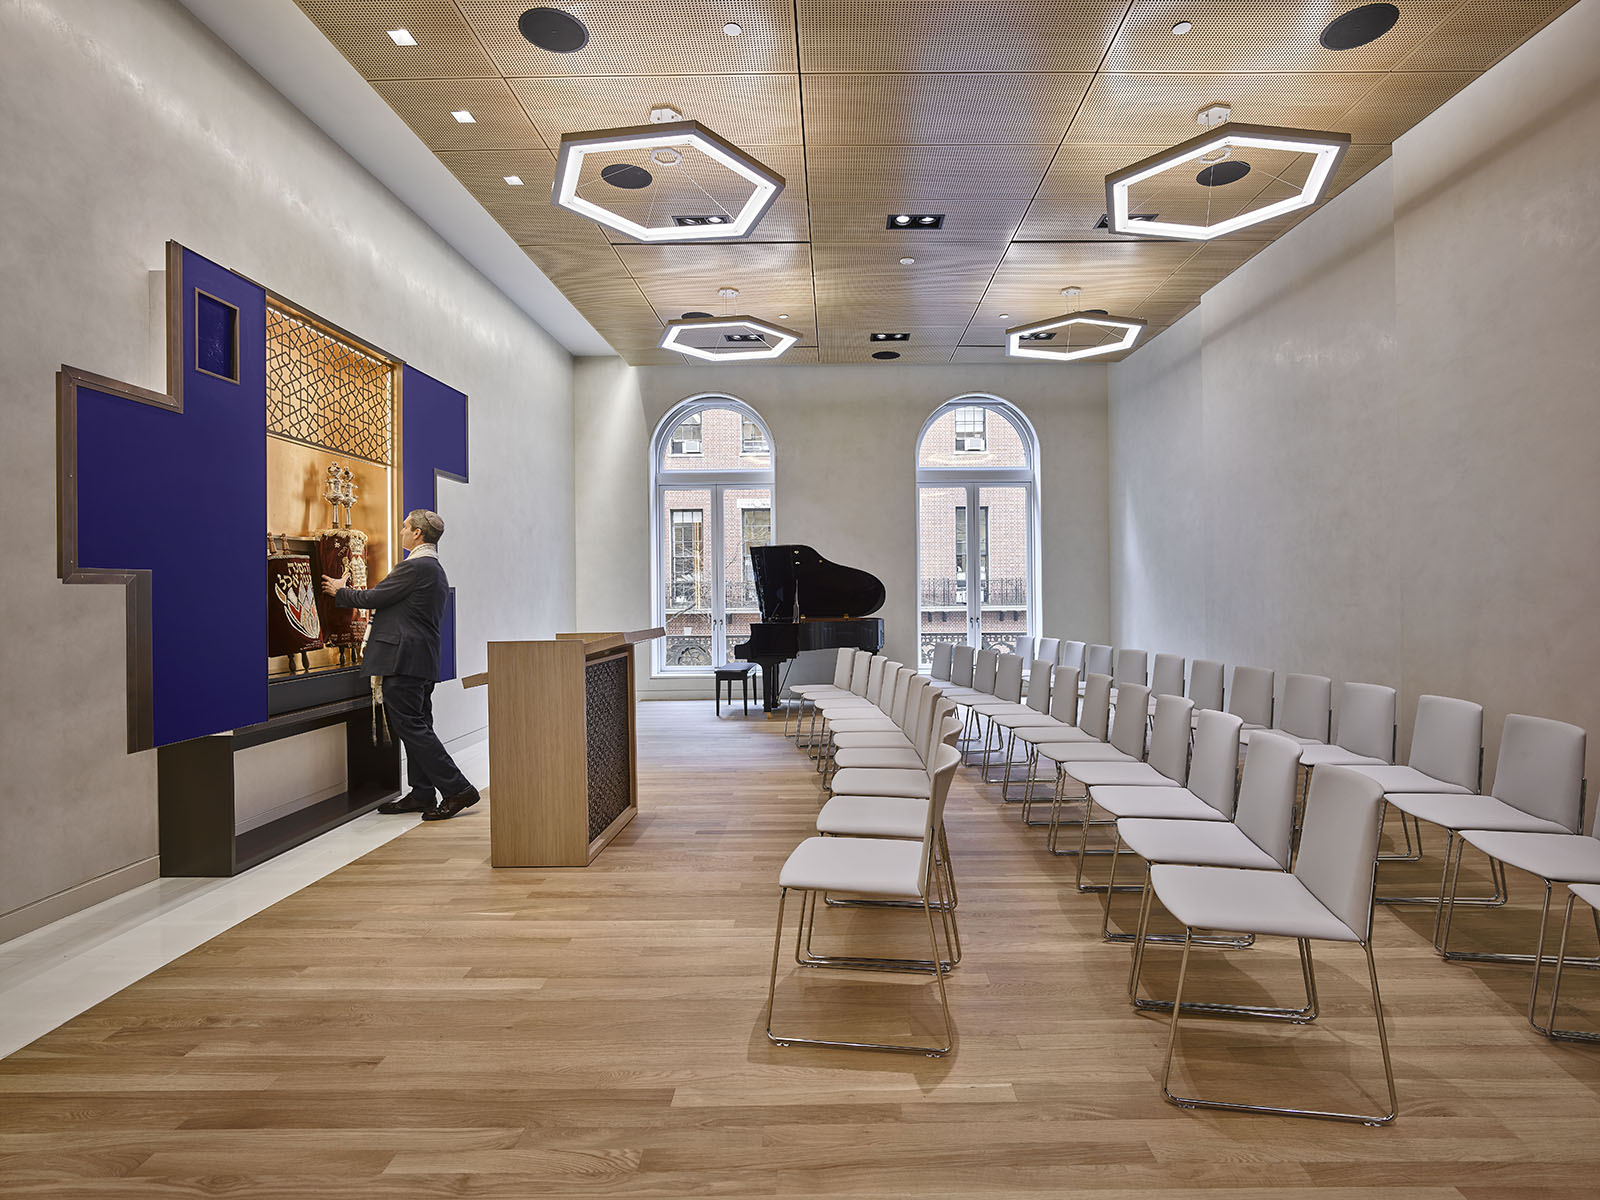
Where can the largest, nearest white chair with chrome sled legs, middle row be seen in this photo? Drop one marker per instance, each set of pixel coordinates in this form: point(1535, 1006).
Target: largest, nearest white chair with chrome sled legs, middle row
point(1329, 897)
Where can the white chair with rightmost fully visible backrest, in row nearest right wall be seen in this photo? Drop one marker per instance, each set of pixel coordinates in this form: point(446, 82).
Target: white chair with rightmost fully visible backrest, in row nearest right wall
point(1538, 790)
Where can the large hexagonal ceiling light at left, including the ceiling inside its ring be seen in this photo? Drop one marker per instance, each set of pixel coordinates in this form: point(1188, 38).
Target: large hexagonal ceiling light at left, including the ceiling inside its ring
point(668, 182)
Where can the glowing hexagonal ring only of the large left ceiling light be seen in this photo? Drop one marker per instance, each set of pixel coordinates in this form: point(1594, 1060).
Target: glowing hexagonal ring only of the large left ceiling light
point(647, 142)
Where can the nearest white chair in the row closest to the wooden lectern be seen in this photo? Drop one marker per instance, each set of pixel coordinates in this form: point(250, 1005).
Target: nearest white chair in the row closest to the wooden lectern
point(876, 868)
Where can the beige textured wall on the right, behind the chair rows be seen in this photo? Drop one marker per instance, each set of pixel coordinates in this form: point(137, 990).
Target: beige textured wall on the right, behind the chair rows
point(1396, 407)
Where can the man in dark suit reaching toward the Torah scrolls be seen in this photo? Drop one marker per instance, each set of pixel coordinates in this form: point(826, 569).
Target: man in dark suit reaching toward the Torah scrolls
point(402, 649)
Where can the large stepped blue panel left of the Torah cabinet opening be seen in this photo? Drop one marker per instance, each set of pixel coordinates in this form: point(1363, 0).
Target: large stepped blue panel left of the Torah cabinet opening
point(185, 495)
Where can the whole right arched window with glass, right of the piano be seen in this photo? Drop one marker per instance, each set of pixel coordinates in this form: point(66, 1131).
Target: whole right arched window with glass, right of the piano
point(977, 527)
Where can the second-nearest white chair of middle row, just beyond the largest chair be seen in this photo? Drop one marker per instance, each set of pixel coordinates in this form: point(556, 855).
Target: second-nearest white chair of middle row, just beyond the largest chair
point(1258, 838)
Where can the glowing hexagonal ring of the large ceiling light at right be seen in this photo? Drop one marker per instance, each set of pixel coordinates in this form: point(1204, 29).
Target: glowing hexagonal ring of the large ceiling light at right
point(1207, 148)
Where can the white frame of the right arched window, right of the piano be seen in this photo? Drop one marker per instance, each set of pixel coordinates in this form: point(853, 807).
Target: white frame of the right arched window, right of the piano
point(974, 481)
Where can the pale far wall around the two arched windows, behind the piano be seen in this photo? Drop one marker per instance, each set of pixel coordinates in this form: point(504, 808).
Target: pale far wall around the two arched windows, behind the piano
point(846, 478)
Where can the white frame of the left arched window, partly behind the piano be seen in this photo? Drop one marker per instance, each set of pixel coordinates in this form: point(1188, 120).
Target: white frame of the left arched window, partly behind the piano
point(716, 482)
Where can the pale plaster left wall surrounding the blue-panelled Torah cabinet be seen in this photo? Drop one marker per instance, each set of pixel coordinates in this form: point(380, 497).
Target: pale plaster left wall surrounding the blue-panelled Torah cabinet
point(129, 124)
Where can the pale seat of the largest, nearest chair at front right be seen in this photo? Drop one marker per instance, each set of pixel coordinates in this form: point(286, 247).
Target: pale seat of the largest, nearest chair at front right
point(1246, 902)
